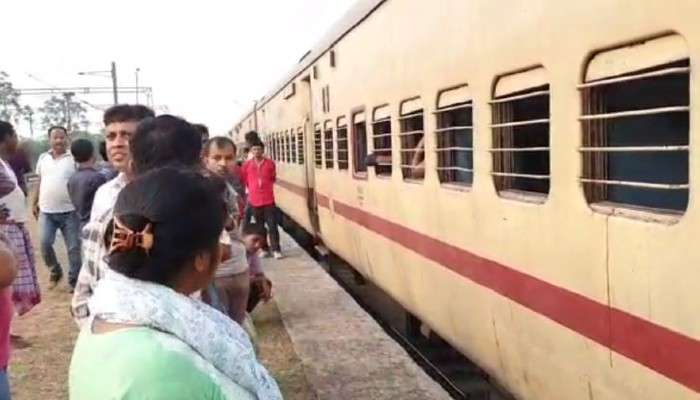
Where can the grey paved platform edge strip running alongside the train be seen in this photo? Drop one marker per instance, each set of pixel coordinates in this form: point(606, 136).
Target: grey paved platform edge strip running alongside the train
point(344, 352)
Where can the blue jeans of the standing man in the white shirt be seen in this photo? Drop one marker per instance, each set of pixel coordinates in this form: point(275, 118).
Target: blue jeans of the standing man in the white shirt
point(70, 229)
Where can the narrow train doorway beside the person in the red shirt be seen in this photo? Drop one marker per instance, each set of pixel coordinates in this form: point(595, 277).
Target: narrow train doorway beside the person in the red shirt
point(309, 156)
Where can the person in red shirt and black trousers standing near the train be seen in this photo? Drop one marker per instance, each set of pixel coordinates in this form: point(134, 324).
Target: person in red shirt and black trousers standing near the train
point(258, 174)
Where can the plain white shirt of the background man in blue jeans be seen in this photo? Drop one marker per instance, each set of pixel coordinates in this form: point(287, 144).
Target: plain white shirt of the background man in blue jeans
point(54, 174)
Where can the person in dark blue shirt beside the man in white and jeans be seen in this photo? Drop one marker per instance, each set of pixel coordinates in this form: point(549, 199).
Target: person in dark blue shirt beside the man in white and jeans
point(85, 182)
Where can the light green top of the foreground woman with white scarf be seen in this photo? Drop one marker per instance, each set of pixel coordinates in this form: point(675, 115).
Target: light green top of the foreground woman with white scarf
point(141, 363)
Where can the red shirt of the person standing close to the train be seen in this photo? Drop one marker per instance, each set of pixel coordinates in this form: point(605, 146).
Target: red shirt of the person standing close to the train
point(259, 178)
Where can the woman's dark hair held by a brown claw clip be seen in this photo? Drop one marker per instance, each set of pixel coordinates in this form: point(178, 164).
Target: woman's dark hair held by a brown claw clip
point(187, 217)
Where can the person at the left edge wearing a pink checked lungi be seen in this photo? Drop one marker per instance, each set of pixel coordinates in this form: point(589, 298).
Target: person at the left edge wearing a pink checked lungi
point(25, 287)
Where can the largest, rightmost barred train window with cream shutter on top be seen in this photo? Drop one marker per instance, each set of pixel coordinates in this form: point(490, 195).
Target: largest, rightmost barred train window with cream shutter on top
point(635, 122)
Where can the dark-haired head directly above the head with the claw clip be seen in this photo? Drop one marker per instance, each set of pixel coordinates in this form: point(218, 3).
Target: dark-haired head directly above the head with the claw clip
point(164, 140)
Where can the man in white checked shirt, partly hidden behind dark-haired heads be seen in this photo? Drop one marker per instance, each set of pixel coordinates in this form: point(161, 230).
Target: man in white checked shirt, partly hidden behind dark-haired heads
point(120, 122)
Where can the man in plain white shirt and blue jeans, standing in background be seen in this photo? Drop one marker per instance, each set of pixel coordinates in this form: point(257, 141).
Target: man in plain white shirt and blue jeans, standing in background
point(53, 206)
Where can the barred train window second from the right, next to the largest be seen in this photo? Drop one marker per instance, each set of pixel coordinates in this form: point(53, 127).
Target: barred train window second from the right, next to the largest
point(520, 128)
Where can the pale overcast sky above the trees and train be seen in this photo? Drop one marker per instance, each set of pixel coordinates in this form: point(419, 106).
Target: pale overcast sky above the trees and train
point(205, 60)
